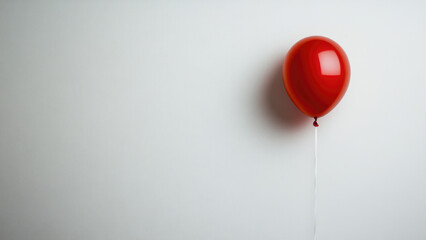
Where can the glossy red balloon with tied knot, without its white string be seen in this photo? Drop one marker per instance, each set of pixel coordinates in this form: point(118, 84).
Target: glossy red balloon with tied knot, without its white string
point(316, 75)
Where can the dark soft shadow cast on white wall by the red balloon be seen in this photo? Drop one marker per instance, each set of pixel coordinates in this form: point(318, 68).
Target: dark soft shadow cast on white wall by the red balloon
point(280, 109)
